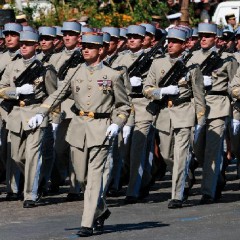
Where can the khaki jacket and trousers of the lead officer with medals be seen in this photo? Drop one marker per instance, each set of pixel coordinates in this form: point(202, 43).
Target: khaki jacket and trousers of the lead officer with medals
point(96, 89)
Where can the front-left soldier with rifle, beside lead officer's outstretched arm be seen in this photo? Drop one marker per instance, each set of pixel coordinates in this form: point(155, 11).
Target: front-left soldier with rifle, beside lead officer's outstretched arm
point(26, 97)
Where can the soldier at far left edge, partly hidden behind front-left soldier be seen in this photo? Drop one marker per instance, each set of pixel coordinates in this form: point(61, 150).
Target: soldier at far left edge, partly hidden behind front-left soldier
point(13, 175)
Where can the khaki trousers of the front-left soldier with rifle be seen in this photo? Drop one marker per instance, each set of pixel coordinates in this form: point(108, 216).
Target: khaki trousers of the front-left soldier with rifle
point(26, 151)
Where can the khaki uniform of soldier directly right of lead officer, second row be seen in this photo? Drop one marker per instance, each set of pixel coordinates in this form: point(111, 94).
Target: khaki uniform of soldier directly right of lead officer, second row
point(140, 171)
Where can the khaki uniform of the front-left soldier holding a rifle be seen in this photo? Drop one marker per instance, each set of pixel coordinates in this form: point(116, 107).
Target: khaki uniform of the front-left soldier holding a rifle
point(26, 145)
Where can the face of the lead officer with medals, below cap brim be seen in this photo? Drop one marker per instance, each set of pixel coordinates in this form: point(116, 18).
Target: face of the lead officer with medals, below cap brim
point(91, 52)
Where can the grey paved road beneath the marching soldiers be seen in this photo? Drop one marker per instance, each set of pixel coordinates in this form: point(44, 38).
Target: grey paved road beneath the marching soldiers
point(56, 219)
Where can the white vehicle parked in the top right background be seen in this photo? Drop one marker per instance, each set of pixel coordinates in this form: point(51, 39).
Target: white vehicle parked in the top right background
point(225, 8)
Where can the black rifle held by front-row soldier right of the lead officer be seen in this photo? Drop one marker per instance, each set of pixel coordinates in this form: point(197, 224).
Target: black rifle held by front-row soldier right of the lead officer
point(175, 73)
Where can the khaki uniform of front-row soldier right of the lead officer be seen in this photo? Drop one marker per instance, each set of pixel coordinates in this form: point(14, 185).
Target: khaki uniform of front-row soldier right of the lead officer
point(174, 121)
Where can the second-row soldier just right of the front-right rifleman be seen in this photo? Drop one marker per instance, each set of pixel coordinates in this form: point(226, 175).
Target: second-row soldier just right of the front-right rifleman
point(209, 143)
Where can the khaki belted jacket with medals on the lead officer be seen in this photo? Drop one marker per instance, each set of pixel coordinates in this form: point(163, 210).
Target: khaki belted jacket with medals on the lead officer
point(98, 89)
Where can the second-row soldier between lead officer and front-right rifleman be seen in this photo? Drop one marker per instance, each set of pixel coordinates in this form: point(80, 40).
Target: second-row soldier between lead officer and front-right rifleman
point(140, 177)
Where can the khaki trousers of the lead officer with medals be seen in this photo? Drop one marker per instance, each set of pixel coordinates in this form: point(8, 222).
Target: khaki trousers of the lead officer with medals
point(90, 176)
